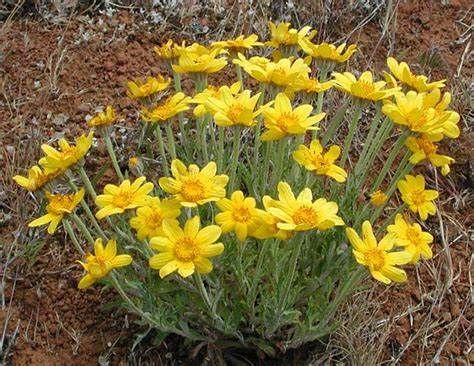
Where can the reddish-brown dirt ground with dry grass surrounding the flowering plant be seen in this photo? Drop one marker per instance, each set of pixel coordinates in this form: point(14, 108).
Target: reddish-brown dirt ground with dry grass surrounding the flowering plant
point(53, 72)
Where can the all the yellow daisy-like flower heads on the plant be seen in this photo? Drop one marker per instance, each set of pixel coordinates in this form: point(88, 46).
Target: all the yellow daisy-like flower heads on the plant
point(410, 101)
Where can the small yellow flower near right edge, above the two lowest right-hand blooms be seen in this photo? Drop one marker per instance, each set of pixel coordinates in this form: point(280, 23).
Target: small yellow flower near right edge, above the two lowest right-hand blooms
point(418, 199)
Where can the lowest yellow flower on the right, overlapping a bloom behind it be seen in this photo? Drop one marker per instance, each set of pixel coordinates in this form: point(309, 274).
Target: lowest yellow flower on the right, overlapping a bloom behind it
point(377, 256)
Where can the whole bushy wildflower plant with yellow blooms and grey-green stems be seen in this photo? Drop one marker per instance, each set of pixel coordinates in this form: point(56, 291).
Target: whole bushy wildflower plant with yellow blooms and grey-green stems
point(249, 211)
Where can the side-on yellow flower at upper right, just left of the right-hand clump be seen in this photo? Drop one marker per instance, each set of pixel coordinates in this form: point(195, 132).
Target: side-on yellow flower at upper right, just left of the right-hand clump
point(363, 88)
